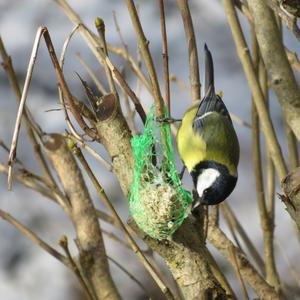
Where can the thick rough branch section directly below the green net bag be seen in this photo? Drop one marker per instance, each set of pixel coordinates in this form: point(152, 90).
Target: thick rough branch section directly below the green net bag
point(186, 258)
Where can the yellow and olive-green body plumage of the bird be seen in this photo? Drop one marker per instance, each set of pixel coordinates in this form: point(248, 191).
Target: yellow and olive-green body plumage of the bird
point(218, 141)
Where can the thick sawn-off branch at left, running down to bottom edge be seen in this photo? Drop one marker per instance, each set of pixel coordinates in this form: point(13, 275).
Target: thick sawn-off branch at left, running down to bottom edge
point(92, 255)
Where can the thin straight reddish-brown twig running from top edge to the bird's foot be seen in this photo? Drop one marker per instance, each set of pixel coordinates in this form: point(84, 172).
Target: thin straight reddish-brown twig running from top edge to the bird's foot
point(165, 53)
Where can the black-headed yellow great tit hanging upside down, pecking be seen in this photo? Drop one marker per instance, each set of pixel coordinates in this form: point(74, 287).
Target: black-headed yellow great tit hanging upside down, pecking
point(208, 145)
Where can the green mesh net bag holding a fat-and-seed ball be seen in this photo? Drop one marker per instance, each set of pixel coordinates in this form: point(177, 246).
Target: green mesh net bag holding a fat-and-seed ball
point(158, 202)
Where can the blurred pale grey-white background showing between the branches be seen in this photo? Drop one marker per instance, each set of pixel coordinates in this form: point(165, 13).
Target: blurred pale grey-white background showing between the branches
point(27, 272)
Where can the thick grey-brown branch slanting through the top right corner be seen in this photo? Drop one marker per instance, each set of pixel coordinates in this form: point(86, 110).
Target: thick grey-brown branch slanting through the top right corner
point(279, 69)
